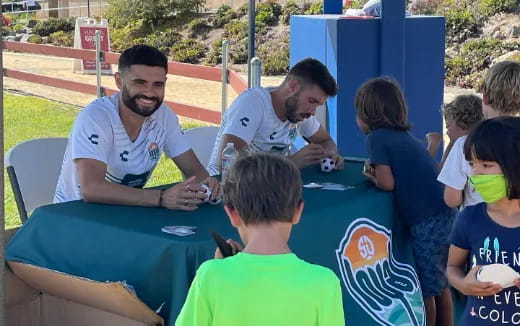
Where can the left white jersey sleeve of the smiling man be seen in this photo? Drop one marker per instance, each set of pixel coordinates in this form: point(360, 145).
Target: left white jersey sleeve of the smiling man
point(92, 135)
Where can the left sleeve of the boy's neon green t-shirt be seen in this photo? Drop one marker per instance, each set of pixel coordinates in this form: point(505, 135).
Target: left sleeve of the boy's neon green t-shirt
point(196, 310)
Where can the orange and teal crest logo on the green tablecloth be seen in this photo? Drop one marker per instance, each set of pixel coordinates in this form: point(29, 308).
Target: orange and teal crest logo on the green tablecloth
point(386, 289)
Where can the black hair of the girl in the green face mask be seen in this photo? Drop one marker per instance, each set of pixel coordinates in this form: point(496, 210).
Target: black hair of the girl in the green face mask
point(498, 140)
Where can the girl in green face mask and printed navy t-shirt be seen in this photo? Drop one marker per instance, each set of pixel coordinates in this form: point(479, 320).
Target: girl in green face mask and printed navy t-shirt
point(489, 232)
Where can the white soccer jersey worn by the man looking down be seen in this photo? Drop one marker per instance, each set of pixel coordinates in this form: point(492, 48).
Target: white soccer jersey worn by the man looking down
point(252, 118)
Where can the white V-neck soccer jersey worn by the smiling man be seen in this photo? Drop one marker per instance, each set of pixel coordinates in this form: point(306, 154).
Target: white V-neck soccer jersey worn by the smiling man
point(99, 134)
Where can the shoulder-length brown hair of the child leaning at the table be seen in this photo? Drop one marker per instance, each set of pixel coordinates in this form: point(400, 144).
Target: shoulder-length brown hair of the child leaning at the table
point(379, 103)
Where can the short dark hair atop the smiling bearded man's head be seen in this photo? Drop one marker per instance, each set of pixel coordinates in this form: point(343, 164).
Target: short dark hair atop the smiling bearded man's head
point(142, 55)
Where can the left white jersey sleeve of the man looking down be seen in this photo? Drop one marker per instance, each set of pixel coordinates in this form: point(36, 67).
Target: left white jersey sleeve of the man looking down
point(243, 118)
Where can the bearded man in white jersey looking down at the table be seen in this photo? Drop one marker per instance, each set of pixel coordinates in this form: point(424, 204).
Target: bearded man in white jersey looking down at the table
point(270, 119)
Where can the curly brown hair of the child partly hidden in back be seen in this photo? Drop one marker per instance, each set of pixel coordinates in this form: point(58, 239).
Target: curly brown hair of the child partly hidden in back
point(465, 110)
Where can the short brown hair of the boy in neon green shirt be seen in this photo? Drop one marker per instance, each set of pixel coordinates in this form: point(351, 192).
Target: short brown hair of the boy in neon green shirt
point(263, 188)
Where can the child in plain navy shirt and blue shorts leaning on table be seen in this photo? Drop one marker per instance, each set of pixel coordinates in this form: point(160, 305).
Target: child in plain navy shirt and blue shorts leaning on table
point(399, 162)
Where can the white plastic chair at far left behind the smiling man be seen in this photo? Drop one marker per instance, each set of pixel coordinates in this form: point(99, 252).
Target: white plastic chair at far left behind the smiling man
point(34, 167)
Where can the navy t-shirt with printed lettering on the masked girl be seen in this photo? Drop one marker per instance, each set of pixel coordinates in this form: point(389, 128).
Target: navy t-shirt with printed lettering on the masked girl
point(489, 243)
